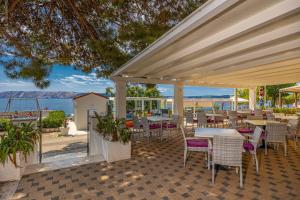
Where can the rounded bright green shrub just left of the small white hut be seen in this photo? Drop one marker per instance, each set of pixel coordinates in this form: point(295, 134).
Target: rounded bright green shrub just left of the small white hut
point(55, 119)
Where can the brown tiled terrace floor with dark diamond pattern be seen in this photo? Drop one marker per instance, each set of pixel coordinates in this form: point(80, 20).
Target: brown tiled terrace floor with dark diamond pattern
point(156, 172)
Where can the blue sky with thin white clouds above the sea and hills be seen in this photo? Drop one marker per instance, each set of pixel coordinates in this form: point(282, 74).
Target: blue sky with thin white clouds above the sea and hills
point(65, 78)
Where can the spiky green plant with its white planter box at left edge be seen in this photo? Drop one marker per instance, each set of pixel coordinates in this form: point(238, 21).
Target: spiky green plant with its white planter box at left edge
point(18, 148)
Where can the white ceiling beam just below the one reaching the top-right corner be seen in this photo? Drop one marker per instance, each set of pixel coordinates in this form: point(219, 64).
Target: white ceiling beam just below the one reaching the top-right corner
point(252, 42)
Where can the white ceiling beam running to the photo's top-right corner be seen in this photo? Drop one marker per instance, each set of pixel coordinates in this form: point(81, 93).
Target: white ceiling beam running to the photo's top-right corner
point(271, 14)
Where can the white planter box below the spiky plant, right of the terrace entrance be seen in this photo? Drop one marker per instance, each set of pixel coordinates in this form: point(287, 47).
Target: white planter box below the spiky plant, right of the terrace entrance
point(111, 151)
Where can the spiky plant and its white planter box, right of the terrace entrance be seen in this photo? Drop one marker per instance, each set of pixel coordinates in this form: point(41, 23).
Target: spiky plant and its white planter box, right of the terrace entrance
point(111, 138)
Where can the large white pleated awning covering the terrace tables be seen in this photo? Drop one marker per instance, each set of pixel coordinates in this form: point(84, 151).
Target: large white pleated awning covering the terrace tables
point(225, 43)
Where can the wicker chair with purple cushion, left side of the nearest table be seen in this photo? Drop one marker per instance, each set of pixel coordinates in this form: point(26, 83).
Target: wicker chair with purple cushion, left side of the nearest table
point(193, 144)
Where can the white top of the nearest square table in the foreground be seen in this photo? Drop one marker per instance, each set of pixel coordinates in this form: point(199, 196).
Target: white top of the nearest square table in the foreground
point(211, 132)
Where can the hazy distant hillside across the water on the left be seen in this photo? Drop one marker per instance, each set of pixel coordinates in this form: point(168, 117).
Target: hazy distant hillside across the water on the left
point(38, 94)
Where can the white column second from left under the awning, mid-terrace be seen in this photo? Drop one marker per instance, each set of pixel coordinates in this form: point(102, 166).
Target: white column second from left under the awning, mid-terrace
point(178, 101)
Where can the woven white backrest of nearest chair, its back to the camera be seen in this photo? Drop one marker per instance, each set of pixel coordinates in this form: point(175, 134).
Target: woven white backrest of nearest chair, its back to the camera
point(227, 150)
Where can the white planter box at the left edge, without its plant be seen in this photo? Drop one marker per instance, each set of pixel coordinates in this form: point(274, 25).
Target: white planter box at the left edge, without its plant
point(9, 172)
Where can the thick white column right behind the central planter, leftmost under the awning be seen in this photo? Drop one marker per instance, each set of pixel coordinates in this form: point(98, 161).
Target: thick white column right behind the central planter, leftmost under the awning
point(120, 99)
